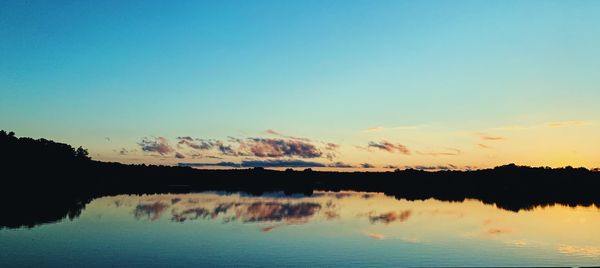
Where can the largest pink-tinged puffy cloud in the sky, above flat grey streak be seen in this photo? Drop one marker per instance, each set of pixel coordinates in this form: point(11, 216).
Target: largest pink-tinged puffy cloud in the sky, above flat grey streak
point(262, 147)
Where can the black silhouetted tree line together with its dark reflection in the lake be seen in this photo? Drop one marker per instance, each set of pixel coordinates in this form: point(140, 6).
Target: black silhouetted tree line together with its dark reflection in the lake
point(44, 181)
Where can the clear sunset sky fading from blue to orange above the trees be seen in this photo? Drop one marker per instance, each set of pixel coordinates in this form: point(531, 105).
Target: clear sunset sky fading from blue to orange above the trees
point(343, 85)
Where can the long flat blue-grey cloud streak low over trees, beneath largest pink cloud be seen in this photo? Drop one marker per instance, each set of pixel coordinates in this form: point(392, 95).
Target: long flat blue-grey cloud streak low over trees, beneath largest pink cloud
point(259, 163)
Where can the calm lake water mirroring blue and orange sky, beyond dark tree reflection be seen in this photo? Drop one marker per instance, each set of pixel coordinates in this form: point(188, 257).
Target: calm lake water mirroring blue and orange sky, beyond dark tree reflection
point(326, 229)
